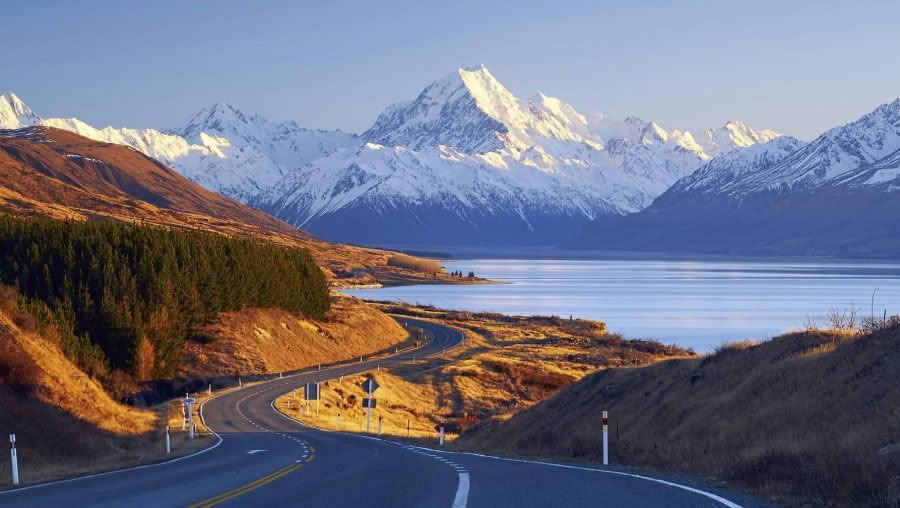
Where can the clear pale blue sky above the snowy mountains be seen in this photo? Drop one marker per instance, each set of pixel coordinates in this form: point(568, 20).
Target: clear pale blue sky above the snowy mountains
point(797, 67)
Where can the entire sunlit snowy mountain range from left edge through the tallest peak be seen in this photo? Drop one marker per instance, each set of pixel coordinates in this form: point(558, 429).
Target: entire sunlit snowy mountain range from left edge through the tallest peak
point(465, 162)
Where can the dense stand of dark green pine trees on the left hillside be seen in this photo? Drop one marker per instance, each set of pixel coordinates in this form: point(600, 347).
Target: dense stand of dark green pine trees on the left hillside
point(127, 296)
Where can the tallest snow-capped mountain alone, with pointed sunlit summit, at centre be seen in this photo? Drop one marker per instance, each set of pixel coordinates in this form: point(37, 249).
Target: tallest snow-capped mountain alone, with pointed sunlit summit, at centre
point(467, 161)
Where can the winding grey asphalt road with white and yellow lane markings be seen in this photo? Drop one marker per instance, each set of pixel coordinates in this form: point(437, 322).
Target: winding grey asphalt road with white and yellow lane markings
point(266, 459)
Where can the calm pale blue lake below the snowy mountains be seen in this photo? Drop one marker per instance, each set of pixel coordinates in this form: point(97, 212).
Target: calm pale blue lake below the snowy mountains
point(695, 304)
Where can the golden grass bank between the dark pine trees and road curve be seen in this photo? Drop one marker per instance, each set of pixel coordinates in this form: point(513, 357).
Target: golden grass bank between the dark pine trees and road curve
point(271, 340)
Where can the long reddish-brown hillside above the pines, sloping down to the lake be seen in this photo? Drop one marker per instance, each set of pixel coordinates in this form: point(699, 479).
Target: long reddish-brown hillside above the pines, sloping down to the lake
point(47, 171)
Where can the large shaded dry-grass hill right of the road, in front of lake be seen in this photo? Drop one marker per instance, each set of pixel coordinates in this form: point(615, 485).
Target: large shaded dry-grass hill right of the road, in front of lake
point(808, 418)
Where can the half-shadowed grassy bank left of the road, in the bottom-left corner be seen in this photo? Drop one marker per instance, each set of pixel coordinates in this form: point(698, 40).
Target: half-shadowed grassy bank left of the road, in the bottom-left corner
point(65, 423)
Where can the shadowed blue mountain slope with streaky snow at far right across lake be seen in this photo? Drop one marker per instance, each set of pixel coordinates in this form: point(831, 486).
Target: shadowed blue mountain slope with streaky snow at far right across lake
point(836, 195)
